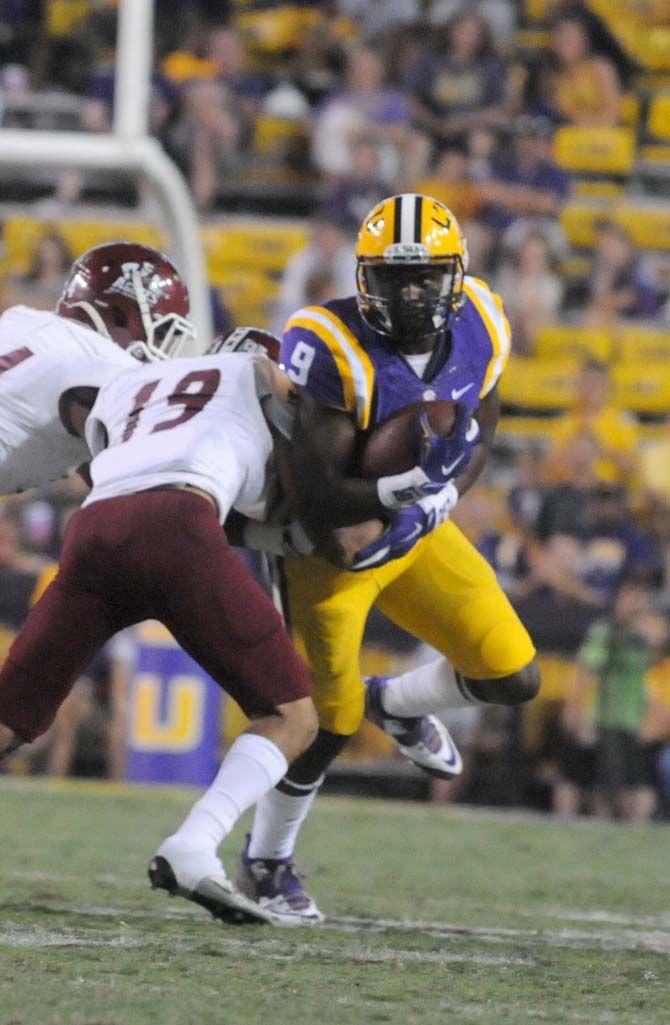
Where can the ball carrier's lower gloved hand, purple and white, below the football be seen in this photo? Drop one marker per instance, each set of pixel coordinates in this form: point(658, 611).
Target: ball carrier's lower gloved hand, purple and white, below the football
point(406, 528)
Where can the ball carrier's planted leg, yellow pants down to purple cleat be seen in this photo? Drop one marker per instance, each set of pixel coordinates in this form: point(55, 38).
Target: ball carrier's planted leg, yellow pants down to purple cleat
point(328, 612)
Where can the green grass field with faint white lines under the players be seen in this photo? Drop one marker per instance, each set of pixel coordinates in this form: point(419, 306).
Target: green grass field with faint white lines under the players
point(437, 917)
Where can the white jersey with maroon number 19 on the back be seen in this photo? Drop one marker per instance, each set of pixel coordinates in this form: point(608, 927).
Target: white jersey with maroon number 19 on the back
point(197, 422)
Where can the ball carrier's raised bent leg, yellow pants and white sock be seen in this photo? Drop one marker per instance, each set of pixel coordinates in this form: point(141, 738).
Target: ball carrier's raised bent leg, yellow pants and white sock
point(450, 598)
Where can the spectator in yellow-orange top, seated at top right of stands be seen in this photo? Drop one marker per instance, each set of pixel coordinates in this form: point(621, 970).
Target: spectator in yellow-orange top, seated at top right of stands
point(574, 86)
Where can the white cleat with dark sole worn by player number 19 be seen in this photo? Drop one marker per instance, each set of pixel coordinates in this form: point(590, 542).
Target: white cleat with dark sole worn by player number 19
point(201, 878)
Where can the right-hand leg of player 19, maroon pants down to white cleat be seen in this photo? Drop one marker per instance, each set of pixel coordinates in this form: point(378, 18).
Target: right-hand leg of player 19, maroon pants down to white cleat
point(225, 621)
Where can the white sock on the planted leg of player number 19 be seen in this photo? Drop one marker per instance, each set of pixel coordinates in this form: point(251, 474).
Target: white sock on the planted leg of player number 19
point(253, 766)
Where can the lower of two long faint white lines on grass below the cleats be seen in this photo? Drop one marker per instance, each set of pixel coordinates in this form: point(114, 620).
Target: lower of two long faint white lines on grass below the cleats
point(18, 936)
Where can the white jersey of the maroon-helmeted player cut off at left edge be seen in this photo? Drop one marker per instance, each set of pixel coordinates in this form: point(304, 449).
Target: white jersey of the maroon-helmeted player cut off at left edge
point(41, 357)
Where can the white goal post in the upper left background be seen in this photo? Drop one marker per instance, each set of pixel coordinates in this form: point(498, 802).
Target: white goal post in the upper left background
point(132, 150)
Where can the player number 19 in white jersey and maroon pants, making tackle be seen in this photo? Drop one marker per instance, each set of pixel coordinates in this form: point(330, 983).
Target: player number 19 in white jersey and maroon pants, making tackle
point(176, 447)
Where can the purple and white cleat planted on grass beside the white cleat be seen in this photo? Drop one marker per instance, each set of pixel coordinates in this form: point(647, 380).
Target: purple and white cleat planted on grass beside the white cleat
point(275, 885)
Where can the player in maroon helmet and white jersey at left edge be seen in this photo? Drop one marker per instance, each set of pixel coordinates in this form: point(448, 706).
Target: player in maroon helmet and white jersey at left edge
point(120, 301)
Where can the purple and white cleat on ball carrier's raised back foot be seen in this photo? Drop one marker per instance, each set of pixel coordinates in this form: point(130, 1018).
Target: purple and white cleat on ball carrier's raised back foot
point(424, 740)
